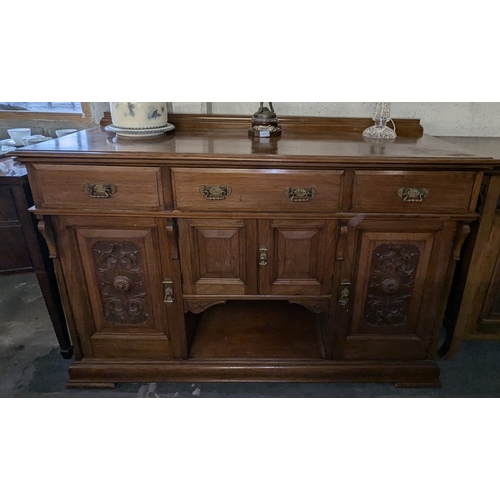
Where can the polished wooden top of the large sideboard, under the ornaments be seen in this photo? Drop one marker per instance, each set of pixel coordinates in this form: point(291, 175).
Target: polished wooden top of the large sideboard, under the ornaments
point(226, 145)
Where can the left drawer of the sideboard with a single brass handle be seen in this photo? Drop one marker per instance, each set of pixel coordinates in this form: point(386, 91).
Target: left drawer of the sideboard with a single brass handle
point(99, 188)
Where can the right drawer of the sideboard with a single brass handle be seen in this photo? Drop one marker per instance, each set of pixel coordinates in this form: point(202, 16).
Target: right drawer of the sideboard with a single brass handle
point(413, 192)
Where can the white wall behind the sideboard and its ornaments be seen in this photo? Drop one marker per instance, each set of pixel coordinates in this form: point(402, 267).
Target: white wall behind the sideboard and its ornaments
point(437, 118)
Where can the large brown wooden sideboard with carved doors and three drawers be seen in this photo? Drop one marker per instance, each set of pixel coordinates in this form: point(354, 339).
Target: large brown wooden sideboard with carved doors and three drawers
point(204, 255)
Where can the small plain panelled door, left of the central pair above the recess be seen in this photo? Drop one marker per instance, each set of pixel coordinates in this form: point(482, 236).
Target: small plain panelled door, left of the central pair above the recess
point(218, 257)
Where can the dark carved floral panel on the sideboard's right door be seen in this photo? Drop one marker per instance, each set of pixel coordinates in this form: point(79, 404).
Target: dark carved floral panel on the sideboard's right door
point(392, 277)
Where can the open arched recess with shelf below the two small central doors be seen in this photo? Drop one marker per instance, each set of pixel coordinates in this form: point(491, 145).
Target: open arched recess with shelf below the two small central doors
point(257, 330)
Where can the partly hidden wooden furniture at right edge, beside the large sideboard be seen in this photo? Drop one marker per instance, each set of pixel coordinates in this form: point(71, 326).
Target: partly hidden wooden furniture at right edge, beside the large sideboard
point(473, 311)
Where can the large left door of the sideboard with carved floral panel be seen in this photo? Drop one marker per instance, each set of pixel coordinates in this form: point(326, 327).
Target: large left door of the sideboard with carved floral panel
point(114, 271)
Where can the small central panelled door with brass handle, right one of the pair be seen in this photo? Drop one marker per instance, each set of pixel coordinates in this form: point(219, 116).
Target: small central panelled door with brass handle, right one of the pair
point(296, 257)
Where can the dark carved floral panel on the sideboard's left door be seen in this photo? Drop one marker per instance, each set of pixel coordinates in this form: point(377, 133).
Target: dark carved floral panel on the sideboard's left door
point(119, 266)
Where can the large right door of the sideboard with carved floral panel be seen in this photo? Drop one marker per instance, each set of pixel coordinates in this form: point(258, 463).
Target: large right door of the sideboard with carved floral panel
point(390, 290)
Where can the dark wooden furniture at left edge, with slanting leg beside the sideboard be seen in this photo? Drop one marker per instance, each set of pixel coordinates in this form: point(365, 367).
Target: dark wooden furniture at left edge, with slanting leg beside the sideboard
point(22, 249)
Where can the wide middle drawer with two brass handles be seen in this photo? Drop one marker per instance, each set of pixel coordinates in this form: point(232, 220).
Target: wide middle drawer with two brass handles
point(212, 189)
